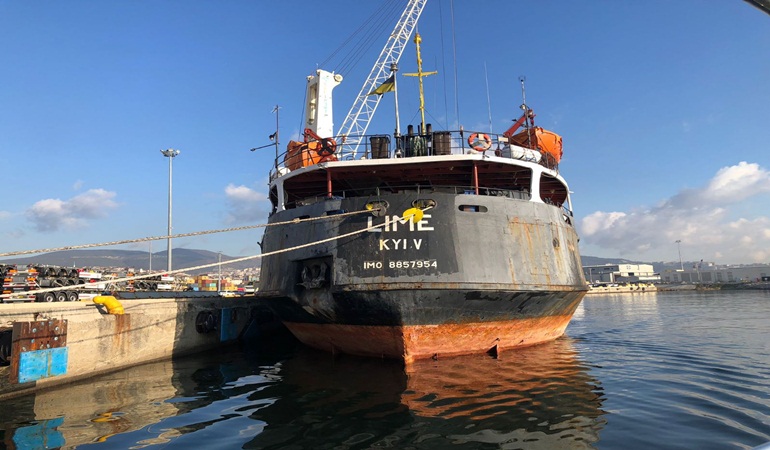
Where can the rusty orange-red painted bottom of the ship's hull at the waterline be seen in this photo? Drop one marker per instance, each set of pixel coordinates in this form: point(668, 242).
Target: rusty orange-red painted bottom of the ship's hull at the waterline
point(425, 341)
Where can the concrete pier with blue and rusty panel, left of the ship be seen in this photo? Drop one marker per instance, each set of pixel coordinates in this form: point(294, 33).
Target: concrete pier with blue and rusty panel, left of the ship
point(57, 343)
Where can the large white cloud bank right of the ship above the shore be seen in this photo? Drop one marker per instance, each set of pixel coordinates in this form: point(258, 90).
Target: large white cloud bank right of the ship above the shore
point(700, 218)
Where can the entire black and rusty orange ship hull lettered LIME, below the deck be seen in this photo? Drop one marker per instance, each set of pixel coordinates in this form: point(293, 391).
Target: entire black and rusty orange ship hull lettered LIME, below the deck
point(476, 274)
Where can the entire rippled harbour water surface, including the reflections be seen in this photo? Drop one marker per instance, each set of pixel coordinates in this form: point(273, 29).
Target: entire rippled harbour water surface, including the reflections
point(664, 371)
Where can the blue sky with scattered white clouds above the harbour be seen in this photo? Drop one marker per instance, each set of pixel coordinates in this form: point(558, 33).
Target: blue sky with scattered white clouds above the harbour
point(663, 107)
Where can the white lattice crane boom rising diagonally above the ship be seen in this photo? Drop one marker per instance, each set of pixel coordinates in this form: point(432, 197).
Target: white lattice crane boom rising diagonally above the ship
point(357, 121)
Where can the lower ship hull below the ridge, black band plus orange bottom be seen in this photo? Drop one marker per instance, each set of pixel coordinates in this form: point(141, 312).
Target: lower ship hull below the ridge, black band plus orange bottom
point(431, 323)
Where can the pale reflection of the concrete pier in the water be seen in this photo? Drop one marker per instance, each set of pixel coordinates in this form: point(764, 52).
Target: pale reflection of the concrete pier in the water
point(126, 409)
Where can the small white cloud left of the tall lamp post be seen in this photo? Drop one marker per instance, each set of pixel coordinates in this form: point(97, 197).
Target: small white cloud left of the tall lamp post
point(54, 214)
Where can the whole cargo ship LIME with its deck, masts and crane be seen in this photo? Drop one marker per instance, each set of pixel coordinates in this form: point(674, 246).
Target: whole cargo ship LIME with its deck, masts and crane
point(418, 245)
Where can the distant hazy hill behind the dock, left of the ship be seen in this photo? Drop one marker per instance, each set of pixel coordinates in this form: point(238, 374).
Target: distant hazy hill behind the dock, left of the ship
point(182, 257)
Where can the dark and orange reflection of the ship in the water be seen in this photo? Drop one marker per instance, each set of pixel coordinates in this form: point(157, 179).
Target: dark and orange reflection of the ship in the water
point(542, 396)
